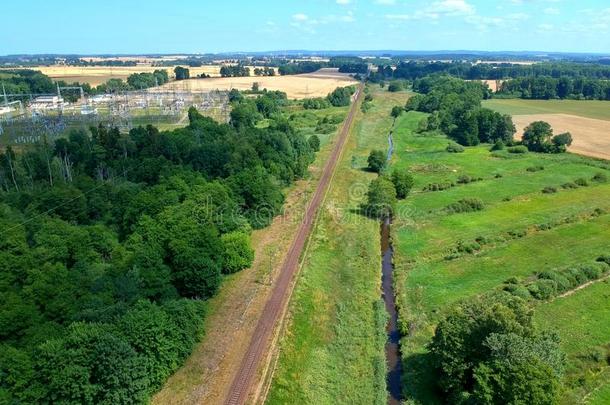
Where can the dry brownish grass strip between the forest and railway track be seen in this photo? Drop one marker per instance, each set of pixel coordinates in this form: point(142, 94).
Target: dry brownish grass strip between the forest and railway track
point(208, 372)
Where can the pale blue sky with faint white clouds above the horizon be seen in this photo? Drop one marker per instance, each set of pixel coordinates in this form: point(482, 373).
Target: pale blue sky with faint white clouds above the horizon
point(206, 26)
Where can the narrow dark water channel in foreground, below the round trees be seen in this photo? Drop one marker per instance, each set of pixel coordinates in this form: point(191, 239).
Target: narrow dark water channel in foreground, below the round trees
point(392, 348)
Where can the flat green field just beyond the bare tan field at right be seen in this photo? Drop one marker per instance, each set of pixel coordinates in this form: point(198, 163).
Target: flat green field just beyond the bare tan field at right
point(585, 108)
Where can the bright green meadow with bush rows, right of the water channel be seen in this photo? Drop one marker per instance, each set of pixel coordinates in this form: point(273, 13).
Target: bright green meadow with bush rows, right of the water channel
point(522, 232)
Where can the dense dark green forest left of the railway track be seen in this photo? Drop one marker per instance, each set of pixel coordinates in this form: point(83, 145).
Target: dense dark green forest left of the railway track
point(111, 243)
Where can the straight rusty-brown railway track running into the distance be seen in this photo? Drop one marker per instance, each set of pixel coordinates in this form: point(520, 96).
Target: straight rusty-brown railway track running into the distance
point(274, 308)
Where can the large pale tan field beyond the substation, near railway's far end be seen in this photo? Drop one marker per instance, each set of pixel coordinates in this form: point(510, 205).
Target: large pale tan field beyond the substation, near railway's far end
point(317, 84)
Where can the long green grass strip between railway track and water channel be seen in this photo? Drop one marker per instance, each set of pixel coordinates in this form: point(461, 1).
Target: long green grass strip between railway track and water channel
point(333, 348)
